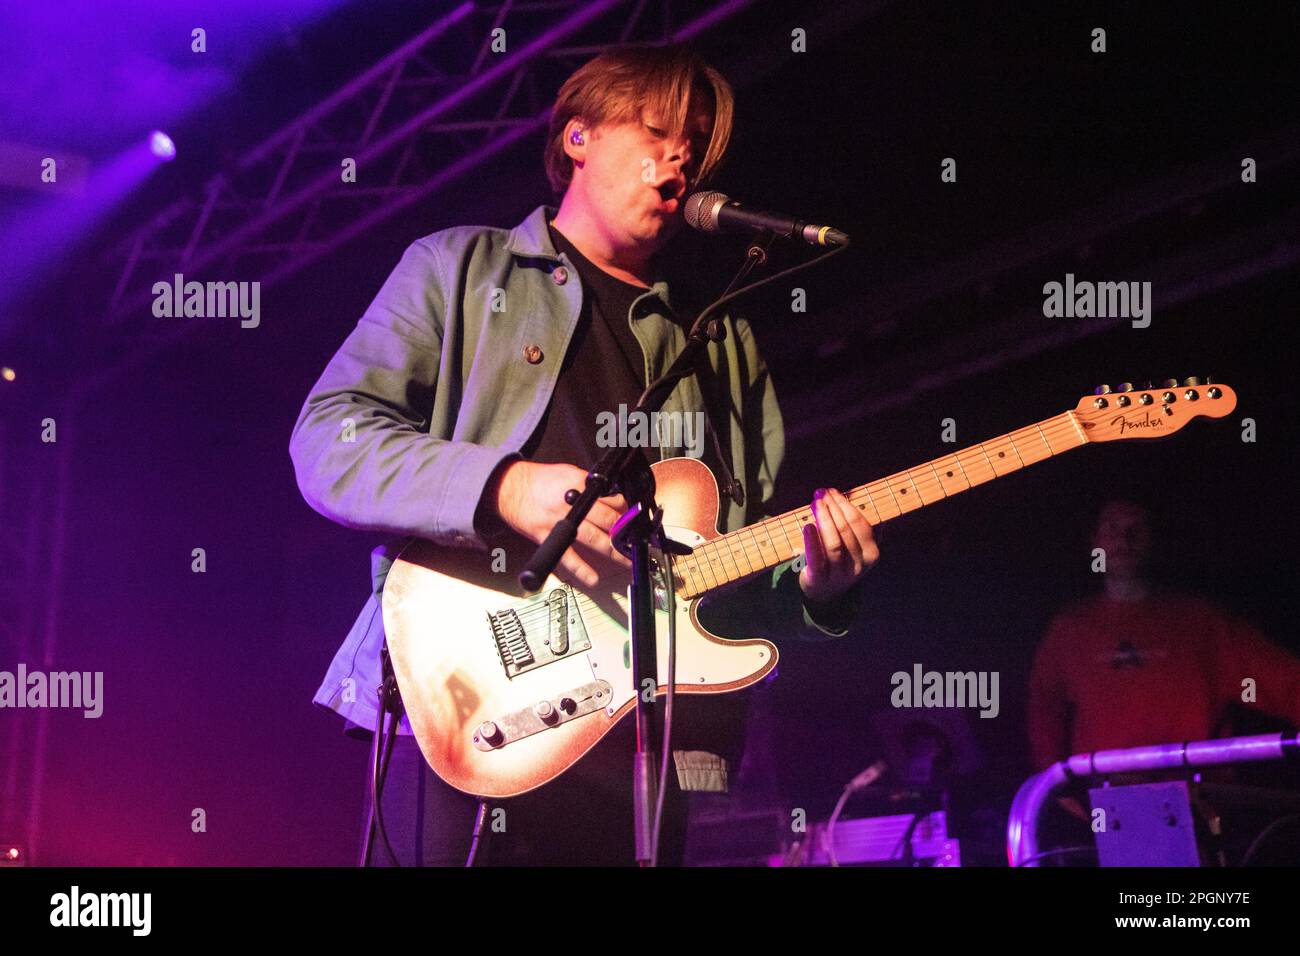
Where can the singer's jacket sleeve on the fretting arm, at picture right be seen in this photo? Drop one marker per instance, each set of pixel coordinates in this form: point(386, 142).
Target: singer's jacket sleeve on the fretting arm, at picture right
point(772, 605)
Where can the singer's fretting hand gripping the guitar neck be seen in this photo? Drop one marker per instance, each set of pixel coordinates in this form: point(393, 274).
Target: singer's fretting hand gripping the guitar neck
point(839, 548)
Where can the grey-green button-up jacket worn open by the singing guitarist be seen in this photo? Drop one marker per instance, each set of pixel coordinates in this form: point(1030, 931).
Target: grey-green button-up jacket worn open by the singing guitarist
point(434, 390)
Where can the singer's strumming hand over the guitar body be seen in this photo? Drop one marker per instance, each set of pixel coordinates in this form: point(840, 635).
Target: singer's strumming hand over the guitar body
point(530, 499)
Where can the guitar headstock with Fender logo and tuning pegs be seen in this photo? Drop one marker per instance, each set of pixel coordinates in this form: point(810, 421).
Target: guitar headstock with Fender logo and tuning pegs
point(1124, 412)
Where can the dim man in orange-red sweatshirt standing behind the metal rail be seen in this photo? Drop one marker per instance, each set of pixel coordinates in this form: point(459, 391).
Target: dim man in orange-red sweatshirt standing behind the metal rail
point(1139, 667)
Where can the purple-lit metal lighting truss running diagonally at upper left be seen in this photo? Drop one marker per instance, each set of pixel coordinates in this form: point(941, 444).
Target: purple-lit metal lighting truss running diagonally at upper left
point(427, 115)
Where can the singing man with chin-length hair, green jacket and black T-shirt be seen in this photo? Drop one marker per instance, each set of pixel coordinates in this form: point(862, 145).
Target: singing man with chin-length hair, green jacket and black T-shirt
point(466, 404)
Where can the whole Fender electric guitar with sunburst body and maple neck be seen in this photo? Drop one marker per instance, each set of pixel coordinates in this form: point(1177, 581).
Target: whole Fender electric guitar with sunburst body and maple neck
point(508, 691)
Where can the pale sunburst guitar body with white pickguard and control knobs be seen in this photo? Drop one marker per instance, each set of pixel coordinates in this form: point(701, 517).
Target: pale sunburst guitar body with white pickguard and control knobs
point(552, 673)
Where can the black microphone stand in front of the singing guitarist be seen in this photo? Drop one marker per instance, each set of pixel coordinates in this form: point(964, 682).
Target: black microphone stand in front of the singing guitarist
point(627, 471)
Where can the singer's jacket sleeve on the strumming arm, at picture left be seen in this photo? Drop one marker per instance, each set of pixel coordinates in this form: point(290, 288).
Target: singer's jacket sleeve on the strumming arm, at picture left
point(362, 449)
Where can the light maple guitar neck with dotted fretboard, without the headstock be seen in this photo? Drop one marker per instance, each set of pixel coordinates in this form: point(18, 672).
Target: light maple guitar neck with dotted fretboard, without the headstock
point(774, 540)
